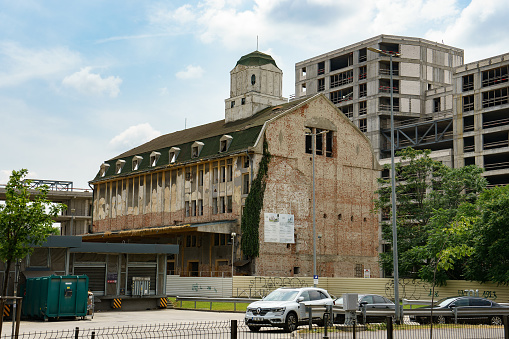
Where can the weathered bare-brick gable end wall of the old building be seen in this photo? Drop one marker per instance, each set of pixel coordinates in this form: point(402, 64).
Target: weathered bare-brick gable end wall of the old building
point(345, 185)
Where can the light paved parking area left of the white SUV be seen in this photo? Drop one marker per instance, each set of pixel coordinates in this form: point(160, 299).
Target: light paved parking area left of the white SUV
point(119, 318)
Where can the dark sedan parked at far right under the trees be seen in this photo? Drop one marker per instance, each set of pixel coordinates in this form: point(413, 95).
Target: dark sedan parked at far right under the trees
point(463, 304)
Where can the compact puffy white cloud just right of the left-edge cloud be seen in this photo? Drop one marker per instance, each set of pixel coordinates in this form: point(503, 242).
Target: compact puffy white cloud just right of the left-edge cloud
point(91, 83)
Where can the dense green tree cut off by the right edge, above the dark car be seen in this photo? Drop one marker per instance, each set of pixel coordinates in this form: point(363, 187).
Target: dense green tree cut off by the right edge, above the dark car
point(490, 258)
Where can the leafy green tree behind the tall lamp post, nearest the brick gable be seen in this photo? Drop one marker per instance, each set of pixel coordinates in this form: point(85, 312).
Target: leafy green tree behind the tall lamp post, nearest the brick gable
point(428, 196)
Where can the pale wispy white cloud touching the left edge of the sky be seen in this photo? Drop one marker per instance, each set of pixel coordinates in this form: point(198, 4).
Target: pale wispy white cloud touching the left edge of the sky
point(24, 64)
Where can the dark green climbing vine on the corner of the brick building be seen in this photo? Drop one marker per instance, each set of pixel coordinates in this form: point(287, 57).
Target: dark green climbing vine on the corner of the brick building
point(254, 203)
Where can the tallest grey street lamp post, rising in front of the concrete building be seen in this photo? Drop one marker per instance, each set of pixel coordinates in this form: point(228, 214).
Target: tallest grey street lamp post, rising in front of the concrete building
point(393, 188)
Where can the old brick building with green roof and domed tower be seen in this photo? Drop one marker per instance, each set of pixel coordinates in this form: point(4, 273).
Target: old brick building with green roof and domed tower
point(189, 187)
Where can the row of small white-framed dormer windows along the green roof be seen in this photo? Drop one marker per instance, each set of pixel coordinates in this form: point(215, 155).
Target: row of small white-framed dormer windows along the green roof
point(224, 144)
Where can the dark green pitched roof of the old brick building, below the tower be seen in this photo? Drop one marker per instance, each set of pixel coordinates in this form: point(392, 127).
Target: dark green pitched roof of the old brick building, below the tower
point(244, 134)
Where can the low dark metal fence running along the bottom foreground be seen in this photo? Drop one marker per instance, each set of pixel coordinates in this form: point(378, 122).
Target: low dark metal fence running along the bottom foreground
point(237, 330)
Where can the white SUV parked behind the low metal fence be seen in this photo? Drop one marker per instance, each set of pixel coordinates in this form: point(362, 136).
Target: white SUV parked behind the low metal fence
point(286, 308)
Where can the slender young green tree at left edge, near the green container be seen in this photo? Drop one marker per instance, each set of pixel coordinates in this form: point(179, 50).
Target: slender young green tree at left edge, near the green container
point(25, 221)
